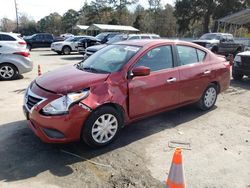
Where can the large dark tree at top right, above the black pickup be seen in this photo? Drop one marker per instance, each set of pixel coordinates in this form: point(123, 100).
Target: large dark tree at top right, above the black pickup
point(190, 11)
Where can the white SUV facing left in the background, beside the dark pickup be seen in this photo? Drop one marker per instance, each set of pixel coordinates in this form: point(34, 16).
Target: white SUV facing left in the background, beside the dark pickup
point(67, 46)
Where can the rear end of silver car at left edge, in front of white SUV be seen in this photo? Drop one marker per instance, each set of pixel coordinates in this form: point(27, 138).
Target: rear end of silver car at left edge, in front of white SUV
point(13, 62)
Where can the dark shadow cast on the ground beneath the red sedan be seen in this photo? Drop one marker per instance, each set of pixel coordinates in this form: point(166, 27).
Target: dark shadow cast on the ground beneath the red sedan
point(23, 155)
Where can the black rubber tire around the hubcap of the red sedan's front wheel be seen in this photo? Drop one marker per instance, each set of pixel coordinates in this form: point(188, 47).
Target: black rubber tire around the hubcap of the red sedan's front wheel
point(90, 124)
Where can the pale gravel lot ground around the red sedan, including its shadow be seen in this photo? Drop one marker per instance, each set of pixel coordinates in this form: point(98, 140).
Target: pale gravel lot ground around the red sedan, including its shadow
point(141, 156)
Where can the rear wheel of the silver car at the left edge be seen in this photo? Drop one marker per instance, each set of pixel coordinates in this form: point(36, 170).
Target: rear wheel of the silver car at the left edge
point(10, 73)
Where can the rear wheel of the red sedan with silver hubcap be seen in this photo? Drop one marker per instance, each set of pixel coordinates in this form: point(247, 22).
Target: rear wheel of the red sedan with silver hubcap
point(211, 91)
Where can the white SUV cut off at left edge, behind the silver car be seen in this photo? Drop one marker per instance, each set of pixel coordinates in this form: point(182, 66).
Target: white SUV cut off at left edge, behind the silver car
point(12, 39)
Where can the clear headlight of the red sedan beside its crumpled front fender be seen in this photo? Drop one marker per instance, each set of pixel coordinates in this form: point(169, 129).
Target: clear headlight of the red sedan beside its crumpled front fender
point(61, 105)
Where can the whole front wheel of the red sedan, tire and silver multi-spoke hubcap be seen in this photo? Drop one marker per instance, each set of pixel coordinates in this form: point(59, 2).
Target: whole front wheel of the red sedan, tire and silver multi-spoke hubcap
point(102, 127)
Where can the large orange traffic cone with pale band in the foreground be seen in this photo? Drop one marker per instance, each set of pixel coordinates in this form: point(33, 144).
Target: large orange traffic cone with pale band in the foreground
point(176, 175)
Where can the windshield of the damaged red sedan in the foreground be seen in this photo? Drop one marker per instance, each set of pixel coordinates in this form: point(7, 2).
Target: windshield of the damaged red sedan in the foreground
point(109, 59)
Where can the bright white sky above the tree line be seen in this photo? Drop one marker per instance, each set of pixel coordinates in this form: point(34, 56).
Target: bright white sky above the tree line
point(38, 9)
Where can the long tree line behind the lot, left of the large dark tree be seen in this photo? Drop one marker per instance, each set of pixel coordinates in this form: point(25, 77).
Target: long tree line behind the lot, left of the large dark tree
point(155, 19)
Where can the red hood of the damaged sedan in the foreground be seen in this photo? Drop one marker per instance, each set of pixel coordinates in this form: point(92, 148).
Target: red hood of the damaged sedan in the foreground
point(69, 79)
